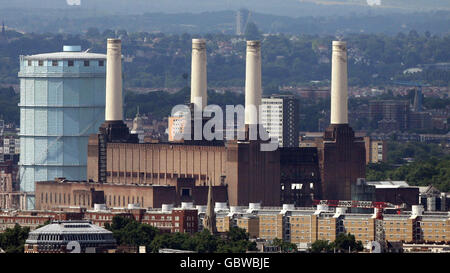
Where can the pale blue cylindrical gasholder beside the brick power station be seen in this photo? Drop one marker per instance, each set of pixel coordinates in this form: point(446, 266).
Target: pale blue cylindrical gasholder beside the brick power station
point(62, 102)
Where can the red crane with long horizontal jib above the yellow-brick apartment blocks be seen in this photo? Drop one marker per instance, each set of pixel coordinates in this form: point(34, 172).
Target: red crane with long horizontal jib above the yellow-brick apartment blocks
point(380, 206)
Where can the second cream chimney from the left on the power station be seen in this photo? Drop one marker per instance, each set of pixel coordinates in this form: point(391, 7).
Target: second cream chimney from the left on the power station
point(198, 72)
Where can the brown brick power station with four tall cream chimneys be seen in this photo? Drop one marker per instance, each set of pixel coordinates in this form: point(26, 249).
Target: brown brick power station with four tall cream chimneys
point(122, 170)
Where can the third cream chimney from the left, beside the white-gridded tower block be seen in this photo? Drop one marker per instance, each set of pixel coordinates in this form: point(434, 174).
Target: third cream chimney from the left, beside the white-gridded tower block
point(253, 82)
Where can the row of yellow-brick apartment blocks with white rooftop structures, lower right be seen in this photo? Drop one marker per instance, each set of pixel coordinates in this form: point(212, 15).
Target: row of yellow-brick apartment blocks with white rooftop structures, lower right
point(303, 226)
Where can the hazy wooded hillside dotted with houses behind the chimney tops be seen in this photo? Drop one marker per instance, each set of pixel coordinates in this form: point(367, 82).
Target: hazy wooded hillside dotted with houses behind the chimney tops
point(157, 60)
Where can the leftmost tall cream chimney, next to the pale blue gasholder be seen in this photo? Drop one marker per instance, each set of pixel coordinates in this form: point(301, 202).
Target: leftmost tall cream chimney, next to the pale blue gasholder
point(114, 104)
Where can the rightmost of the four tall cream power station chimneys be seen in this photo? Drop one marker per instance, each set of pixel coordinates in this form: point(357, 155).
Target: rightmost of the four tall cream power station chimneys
point(339, 88)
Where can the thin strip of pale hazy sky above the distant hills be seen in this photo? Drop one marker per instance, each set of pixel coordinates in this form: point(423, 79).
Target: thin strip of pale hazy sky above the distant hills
point(292, 8)
